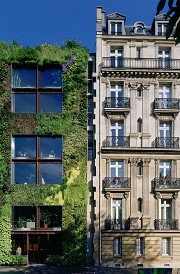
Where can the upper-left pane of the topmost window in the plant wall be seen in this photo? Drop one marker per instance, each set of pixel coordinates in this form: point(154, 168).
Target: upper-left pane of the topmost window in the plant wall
point(24, 78)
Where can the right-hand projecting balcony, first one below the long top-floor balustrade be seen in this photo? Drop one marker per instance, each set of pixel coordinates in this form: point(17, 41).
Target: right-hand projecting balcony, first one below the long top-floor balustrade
point(167, 105)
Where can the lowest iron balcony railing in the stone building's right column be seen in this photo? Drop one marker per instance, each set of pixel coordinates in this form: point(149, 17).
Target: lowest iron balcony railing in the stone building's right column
point(165, 224)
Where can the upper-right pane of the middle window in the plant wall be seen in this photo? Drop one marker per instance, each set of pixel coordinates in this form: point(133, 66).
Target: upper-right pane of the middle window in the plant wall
point(50, 147)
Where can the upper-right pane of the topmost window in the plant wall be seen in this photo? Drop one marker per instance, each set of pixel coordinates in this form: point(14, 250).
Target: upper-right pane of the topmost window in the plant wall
point(50, 78)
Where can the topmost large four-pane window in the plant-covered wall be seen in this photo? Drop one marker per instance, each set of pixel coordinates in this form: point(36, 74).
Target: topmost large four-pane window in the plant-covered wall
point(37, 90)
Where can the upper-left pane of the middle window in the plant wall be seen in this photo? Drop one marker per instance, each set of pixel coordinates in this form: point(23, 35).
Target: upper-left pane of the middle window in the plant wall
point(24, 146)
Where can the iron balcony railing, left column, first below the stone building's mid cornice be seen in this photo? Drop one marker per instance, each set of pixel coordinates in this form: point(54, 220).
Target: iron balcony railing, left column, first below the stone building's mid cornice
point(117, 182)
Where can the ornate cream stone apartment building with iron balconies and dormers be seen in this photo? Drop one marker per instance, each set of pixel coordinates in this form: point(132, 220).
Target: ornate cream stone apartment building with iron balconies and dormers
point(134, 201)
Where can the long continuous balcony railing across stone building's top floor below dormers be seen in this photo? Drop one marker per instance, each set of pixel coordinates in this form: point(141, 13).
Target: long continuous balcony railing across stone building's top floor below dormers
point(140, 63)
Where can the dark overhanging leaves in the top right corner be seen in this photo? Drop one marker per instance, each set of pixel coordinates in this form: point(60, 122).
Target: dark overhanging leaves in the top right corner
point(174, 12)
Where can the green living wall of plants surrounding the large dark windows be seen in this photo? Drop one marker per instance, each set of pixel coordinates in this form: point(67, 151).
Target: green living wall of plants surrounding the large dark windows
point(71, 123)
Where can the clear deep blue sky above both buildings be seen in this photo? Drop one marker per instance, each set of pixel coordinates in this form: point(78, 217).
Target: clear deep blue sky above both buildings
point(34, 22)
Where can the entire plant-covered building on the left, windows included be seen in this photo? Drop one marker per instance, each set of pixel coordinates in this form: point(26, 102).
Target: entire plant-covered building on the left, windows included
point(43, 153)
